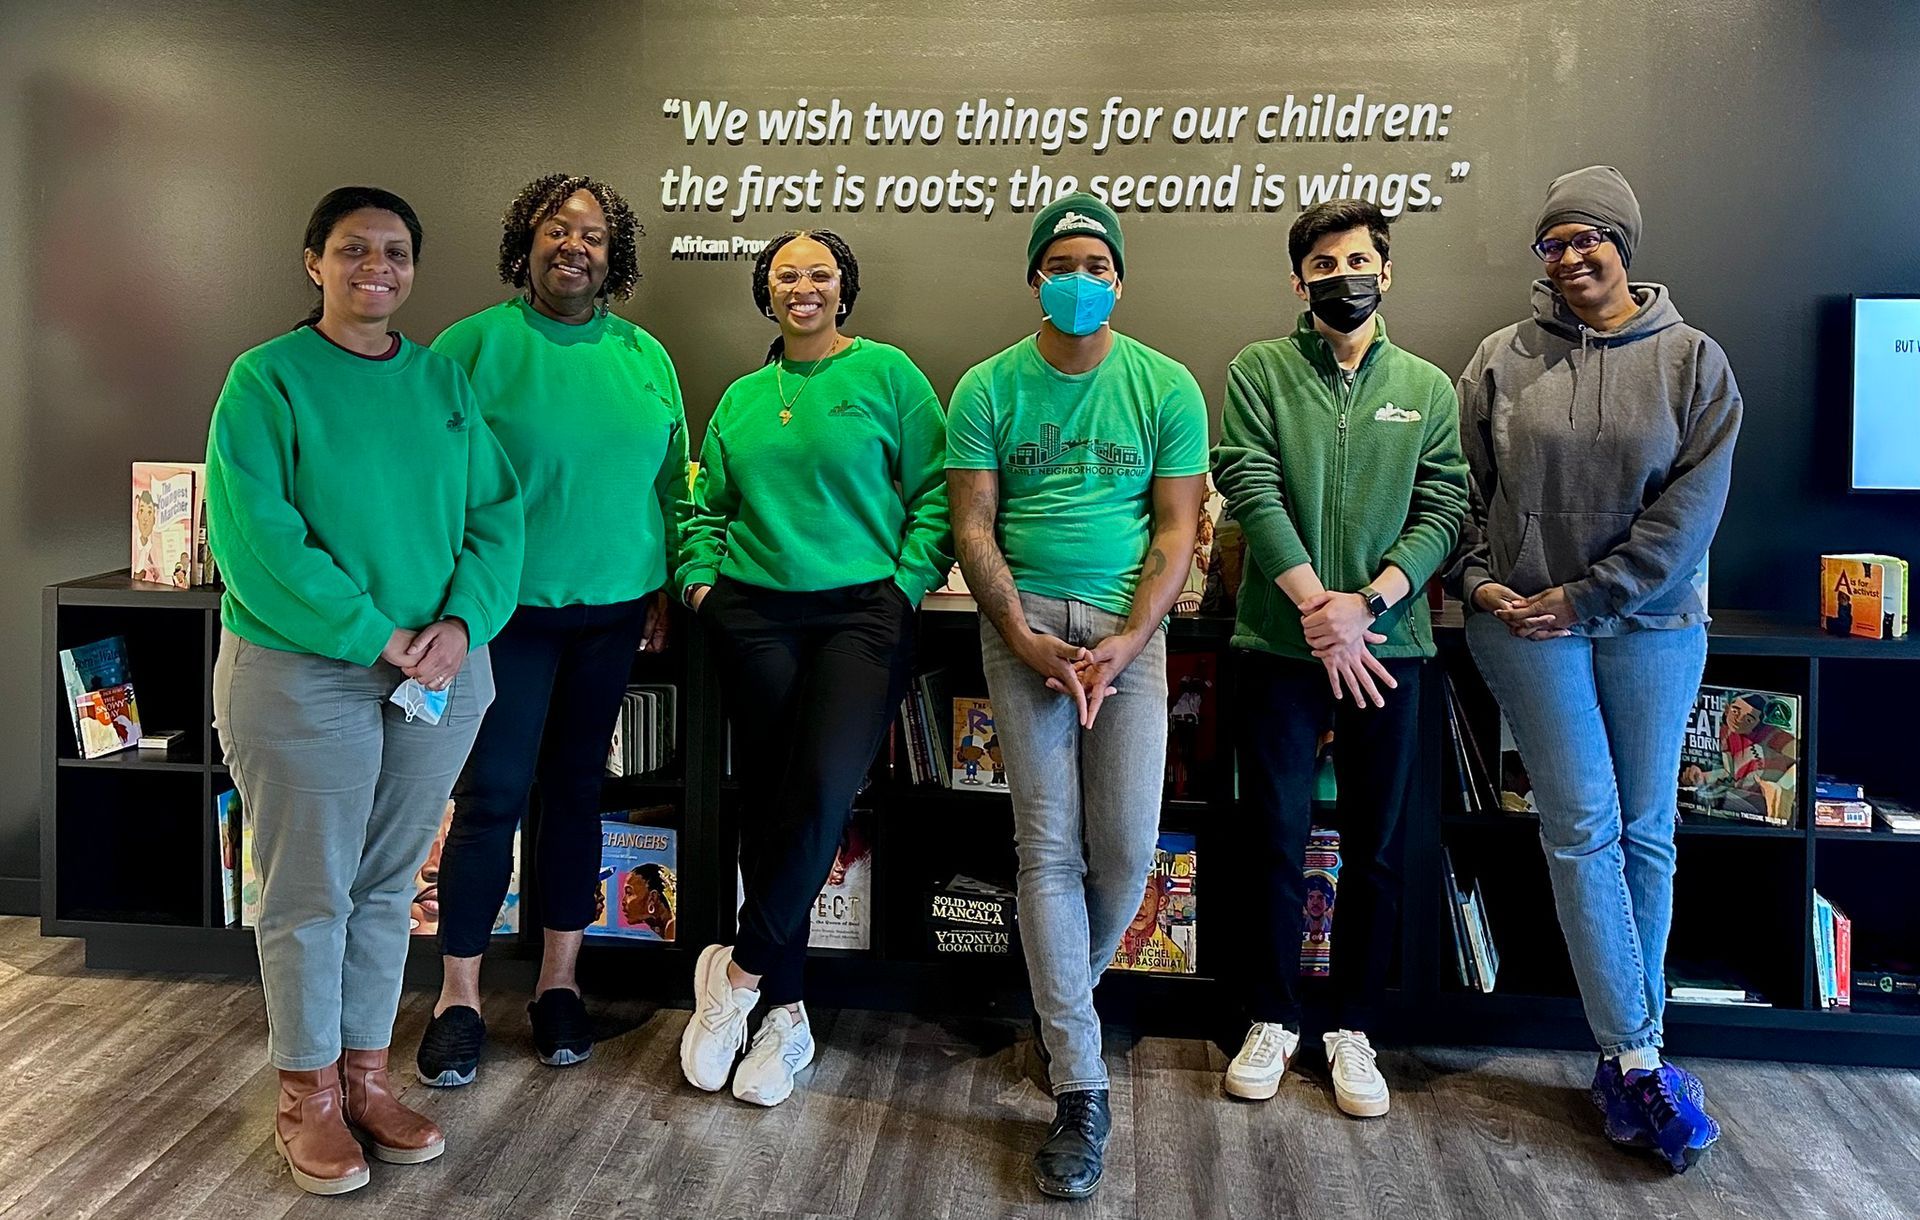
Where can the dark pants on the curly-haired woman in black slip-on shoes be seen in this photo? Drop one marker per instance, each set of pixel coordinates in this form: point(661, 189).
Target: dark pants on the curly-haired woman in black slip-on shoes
point(562, 675)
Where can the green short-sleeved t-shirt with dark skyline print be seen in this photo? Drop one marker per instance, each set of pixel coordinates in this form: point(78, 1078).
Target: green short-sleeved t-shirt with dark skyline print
point(1078, 454)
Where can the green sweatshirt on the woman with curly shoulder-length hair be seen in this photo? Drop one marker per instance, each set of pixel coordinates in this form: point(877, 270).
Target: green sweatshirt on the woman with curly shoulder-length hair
point(592, 420)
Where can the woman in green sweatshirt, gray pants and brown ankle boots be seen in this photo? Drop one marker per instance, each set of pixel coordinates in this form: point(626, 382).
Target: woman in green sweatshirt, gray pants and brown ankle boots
point(370, 531)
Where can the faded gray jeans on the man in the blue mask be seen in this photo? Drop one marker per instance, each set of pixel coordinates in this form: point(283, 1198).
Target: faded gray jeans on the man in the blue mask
point(1086, 819)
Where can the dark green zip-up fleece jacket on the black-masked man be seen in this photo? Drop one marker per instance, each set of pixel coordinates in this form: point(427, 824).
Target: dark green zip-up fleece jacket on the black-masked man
point(1347, 476)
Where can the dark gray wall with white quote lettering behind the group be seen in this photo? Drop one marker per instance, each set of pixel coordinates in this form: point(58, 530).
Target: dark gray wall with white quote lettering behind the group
point(156, 172)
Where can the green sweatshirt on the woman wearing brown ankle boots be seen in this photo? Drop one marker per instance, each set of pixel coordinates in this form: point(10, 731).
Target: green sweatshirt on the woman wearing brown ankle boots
point(348, 497)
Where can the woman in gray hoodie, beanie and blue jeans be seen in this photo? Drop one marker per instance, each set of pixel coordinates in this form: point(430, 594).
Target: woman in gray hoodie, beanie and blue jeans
point(1600, 441)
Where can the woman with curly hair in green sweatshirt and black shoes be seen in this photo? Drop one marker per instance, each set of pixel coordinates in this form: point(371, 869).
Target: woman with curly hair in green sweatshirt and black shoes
point(588, 408)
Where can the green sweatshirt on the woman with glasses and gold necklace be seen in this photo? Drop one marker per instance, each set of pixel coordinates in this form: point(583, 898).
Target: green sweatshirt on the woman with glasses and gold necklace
point(850, 491)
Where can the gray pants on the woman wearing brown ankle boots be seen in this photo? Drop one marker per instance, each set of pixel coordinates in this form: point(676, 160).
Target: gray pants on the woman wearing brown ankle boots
point(345, 796)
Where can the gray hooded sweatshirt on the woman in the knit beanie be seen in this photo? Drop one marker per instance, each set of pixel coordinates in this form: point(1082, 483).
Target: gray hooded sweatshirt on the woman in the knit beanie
point(1598, 462)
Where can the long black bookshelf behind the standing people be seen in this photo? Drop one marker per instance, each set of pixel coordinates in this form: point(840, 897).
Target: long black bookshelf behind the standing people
point(130, 848)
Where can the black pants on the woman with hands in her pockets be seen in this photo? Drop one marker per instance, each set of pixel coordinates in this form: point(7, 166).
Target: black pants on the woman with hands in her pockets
point(811, 685)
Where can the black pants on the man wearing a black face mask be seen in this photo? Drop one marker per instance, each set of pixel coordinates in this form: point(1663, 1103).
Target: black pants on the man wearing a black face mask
point(1284, 710)
